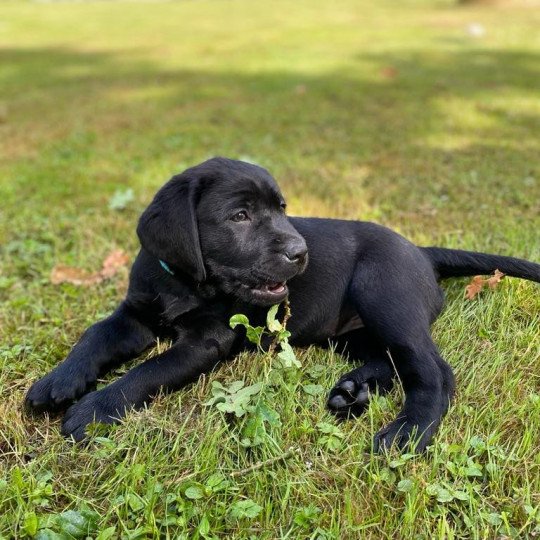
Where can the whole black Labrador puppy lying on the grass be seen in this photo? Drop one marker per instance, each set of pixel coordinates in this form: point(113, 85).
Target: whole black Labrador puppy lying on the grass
point(215, 242)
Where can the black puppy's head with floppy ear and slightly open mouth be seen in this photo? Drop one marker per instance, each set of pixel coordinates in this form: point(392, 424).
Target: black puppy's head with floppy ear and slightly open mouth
point(224, 221)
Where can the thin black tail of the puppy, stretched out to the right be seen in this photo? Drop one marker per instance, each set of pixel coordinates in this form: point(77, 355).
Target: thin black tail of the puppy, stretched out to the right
point(456, 263)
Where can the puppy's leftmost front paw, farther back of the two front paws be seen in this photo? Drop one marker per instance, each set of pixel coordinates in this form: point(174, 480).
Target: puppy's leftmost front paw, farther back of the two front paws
point(59, 388)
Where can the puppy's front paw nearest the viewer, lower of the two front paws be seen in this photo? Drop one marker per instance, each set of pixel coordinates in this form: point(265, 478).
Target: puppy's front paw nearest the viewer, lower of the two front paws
point(102, 406)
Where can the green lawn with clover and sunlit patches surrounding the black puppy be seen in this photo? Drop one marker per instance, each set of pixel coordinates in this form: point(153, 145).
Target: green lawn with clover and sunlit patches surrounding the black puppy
point(387, 111)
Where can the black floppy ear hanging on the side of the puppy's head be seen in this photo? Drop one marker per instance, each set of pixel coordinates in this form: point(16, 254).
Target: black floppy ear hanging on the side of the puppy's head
point(168, 227)
